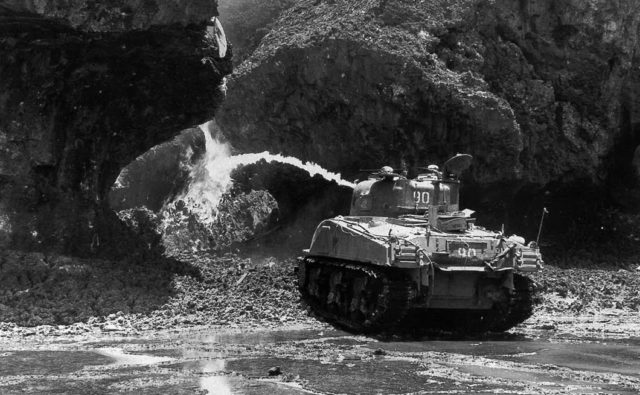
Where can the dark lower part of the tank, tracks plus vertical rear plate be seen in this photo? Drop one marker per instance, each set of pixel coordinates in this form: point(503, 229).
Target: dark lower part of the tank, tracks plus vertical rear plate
point(370, 299)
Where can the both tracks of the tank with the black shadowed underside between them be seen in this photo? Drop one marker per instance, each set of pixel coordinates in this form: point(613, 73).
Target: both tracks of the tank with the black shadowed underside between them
point(374, 300)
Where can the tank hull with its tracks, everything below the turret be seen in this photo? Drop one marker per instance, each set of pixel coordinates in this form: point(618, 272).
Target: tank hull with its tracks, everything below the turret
point(374, 274)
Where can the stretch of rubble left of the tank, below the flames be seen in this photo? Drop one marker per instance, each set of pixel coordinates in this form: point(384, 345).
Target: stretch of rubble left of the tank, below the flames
point(49, 294)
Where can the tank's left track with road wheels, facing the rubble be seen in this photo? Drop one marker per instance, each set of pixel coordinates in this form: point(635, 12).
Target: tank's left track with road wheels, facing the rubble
point(361, 298)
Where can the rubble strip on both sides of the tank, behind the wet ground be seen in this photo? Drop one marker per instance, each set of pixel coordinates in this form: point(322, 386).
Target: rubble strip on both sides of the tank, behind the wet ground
point(56, 296)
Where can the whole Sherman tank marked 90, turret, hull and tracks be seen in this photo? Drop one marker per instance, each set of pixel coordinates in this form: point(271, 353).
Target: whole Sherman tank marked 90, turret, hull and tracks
point(407, 258)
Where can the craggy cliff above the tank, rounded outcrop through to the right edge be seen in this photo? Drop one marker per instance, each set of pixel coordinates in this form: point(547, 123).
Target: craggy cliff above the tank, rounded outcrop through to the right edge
point(540, 92)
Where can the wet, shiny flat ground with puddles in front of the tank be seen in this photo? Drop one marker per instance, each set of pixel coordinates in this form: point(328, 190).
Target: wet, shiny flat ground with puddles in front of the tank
point(319, 362)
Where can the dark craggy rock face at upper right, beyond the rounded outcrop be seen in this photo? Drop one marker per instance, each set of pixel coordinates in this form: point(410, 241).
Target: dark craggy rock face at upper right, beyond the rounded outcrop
point(572, 84)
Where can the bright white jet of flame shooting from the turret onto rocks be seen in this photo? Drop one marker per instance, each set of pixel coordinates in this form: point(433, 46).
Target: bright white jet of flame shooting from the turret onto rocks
point(211, 176)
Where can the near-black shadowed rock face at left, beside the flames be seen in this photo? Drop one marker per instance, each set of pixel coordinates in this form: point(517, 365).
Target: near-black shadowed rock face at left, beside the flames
point(76, 107)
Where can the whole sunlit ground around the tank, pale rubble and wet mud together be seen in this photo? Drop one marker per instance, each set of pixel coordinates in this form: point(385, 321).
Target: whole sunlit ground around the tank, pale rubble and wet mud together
point(236, 325)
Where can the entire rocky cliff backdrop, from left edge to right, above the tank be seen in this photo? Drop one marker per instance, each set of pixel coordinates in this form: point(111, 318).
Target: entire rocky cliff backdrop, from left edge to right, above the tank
point(542, 93)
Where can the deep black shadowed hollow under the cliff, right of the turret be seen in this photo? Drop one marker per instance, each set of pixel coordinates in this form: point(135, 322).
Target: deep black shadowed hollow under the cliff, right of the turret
point(585, 226)
